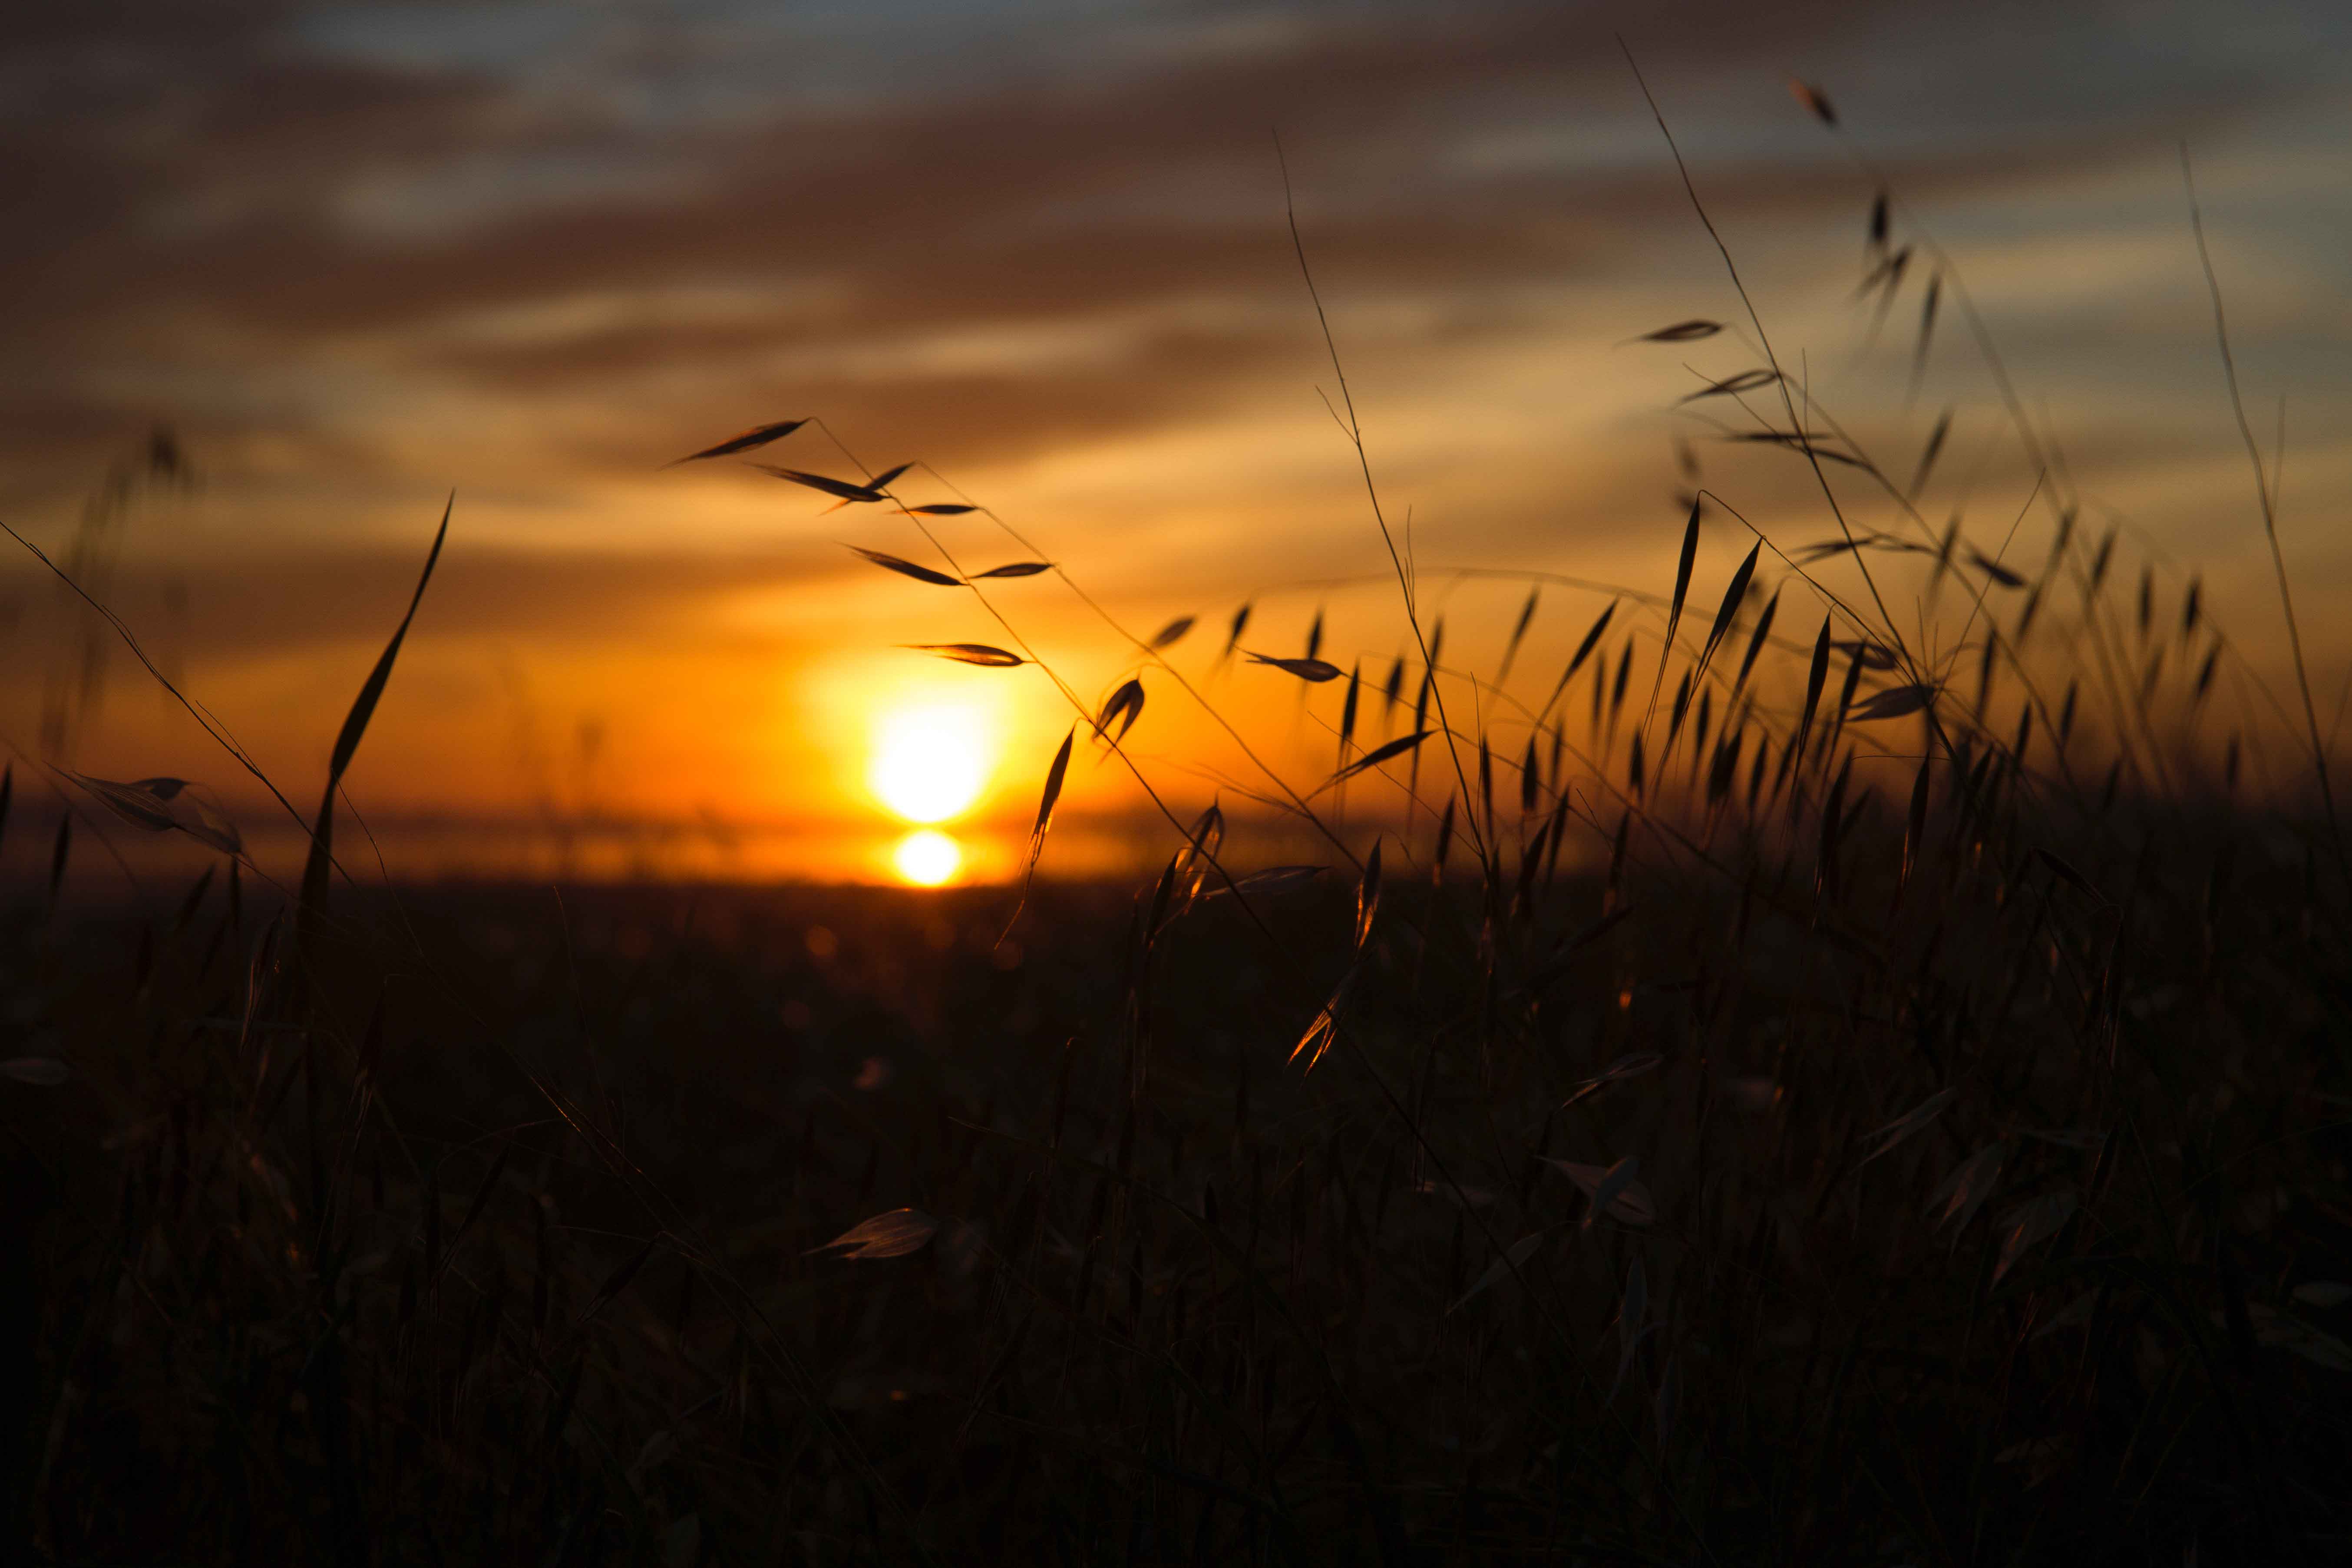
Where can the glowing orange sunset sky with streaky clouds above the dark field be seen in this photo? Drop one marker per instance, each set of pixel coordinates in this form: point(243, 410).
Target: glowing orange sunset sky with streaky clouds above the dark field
point(363, 255)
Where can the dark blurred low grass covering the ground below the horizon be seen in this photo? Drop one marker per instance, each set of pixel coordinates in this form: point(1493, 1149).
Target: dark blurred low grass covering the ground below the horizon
point(1189, 1304)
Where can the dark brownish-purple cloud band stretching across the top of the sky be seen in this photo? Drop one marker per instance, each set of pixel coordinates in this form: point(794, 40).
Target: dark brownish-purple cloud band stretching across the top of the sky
point(290, 203)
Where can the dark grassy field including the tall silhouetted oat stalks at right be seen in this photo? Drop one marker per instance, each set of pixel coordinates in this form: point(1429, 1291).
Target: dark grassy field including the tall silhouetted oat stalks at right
point(1923, 1141)
